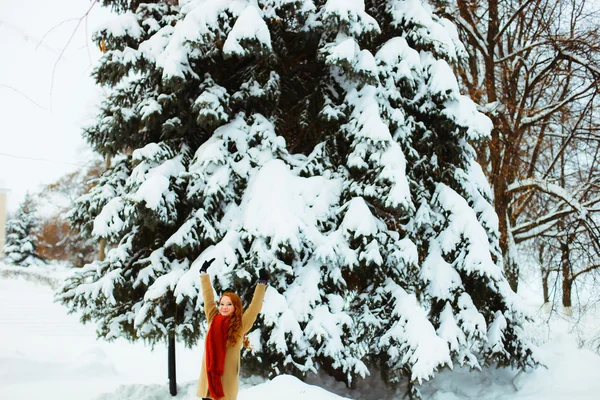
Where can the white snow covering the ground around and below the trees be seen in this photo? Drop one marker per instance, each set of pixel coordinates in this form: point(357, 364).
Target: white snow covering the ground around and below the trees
point(47, 354)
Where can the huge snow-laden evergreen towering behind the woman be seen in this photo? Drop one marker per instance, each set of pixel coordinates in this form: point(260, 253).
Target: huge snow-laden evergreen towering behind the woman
point(324, 140)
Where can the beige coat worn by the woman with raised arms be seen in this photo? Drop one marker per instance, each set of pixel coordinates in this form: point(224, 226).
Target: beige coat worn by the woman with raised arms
point(230, 378)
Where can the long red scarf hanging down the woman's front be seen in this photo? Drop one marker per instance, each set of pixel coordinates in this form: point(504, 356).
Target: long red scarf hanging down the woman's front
point(216, 344)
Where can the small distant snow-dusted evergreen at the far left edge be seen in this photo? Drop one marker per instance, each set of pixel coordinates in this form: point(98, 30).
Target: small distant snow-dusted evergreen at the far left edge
point(21, 235)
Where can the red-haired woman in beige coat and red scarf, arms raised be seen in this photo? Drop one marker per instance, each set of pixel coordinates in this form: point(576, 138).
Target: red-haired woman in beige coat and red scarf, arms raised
point(219, 375)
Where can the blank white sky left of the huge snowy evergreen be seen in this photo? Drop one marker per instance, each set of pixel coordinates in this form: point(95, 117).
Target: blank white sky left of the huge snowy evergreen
point(40, 124)
